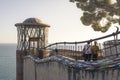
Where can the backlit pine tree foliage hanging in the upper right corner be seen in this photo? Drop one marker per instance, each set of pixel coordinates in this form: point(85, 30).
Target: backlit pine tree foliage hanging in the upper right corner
point(94, 11)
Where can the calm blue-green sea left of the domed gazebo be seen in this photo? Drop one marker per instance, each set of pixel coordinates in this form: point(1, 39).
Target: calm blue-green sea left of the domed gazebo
point(7, 62)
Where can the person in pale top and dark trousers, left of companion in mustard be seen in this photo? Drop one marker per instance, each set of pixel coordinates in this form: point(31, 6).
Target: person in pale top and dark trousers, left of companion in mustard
point(87, 50)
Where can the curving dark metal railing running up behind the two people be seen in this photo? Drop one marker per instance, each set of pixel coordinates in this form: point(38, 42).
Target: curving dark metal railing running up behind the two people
point(109, 47)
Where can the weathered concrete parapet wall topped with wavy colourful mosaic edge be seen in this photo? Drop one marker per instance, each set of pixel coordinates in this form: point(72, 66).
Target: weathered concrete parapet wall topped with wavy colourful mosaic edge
point(61, 68)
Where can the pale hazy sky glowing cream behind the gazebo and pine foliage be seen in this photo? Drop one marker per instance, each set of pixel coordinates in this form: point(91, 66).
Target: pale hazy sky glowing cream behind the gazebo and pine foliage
point(63, 17)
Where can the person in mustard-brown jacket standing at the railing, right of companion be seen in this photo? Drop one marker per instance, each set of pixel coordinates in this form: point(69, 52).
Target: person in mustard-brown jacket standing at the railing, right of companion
point(95, 50)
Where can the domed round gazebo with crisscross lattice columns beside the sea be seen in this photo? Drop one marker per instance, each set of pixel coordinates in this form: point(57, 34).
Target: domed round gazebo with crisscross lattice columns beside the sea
point(32, 35)
